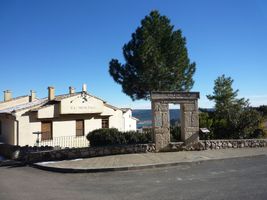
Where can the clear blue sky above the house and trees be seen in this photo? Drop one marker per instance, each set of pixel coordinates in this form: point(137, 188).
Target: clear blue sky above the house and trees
point(66, 43)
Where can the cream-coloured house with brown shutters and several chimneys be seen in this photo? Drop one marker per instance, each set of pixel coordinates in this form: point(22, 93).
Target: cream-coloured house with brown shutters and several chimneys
point(58, 120)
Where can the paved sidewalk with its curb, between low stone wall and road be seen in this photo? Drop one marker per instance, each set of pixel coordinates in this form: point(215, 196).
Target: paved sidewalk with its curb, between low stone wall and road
point(145, 160)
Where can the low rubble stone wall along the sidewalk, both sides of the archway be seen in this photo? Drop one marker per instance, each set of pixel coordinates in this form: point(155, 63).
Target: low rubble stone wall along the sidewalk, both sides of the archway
point(88, 152)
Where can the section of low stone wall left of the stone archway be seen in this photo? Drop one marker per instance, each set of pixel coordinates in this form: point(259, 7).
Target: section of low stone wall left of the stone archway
point(87, 152)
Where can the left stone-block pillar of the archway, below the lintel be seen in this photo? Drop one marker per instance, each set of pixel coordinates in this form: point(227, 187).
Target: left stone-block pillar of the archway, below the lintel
point(161, 125)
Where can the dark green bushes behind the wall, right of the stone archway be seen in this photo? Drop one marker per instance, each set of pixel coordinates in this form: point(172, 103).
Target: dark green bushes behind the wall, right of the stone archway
point(236, 123)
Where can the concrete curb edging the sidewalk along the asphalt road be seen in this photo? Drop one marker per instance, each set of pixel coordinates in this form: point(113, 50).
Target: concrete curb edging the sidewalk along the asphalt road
point(129, 168)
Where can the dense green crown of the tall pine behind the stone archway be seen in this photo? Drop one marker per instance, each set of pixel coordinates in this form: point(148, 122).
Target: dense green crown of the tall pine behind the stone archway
point(156, 59)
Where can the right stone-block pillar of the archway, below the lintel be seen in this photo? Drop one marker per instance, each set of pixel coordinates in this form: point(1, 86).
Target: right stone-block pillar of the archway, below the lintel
point(189, 122)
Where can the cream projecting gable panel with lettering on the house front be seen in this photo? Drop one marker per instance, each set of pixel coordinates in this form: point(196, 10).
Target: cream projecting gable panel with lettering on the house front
point(81, 104)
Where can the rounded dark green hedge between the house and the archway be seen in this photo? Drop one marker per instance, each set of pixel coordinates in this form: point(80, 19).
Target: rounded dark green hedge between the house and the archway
point(111, 136)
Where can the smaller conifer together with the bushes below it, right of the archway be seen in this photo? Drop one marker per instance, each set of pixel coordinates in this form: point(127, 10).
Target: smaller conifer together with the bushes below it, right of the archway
point(232, 118)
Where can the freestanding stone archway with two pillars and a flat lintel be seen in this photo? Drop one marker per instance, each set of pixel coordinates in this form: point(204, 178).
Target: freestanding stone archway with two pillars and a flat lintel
point(189, 116)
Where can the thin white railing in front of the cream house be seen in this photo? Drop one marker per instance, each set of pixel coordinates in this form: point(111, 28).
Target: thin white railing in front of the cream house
point(66, 141)
